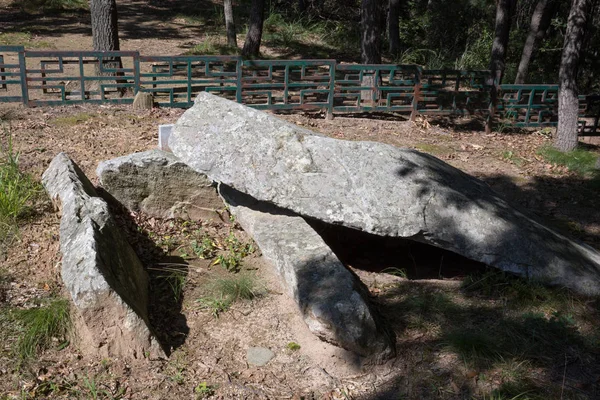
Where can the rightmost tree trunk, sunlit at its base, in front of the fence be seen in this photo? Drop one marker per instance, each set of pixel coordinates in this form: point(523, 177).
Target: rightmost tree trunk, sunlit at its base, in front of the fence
point(568, 103)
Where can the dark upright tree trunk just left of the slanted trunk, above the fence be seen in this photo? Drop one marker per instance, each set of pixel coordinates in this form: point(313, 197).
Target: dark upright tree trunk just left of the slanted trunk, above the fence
point(504, 11)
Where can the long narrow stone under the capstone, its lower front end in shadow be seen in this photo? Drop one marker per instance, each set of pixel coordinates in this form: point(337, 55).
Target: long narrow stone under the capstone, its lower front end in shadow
point(333, 302)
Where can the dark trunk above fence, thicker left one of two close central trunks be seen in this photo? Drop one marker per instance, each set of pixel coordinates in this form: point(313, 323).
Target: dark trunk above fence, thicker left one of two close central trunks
point(370, 20)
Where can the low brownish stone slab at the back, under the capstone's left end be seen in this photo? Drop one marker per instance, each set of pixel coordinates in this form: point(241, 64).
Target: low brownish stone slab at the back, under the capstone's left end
point(158, 184)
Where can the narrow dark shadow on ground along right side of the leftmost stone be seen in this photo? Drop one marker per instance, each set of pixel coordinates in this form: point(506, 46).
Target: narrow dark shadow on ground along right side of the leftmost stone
point(166, 273)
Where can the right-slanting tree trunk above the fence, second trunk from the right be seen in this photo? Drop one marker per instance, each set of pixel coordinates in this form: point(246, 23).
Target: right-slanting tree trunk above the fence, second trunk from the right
point(540, 21)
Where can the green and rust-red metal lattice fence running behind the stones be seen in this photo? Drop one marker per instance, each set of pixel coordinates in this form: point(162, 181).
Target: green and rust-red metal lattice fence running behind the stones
point(40, 78)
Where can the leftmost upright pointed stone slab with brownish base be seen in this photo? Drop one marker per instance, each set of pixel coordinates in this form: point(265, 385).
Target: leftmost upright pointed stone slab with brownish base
point(104, 276)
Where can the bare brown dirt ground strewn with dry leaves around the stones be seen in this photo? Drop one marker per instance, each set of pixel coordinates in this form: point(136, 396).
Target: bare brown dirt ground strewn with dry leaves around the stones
point(208, 358)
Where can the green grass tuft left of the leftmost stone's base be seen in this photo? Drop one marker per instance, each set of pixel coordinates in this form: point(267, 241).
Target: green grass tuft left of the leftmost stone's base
point(39, 326)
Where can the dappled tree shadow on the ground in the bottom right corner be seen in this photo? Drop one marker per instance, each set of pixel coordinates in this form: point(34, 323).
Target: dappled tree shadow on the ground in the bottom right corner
point(472, 345)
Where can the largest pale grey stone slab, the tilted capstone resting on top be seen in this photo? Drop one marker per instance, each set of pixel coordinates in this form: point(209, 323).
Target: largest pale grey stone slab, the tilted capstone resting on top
point(376, 188)
